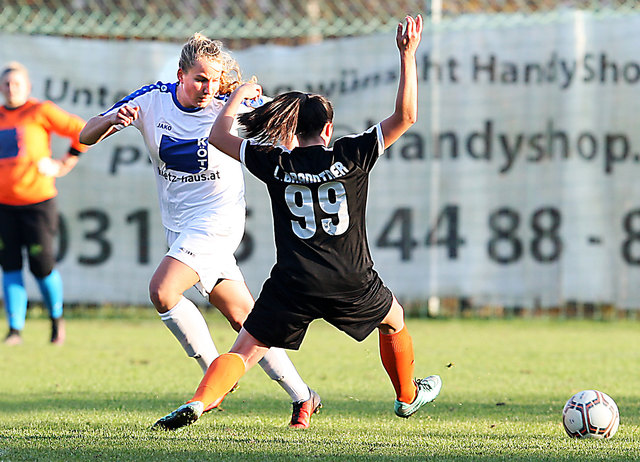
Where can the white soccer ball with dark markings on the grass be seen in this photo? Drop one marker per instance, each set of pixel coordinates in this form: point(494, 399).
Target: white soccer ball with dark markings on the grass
point(590, 414)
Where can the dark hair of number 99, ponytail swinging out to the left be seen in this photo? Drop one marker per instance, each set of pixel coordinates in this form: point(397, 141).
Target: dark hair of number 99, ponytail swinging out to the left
point(288, 114)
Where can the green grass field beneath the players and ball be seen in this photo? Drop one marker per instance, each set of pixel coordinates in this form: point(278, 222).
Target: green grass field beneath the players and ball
point(505, 383)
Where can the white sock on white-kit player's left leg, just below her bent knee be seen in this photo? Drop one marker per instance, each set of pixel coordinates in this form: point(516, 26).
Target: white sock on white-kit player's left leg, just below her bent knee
point(187, 325)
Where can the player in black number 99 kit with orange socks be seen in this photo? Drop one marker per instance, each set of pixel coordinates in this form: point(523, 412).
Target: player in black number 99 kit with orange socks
point(323, 267)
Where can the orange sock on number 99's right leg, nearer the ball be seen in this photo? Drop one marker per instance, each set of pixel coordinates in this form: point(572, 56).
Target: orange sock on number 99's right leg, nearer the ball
point(396, 352)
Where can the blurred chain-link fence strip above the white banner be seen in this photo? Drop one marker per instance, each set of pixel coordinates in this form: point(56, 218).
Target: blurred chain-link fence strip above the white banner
point(249, 22)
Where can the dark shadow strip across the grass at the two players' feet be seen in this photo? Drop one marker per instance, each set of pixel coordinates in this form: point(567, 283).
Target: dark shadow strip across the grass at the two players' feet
point(260, 405)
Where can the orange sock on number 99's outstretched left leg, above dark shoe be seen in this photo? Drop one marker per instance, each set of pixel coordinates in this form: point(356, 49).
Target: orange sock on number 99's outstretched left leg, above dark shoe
point(222, 375)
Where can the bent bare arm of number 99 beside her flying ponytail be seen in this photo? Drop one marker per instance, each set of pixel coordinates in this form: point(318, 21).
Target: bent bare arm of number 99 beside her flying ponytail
point(220, 136)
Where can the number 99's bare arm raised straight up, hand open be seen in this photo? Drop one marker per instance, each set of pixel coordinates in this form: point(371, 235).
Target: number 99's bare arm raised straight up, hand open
point(406, 108)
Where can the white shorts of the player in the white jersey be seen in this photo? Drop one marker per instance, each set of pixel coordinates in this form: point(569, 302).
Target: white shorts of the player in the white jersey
point(209, 252)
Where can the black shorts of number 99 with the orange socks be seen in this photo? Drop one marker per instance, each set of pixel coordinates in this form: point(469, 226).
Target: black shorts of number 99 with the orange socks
point(281, 316)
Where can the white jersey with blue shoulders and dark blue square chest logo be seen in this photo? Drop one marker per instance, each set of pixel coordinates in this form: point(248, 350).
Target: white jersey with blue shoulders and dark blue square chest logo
point(196, 183)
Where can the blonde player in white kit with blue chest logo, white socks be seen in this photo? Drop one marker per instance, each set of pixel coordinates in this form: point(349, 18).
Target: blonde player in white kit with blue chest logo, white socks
point(201, 193)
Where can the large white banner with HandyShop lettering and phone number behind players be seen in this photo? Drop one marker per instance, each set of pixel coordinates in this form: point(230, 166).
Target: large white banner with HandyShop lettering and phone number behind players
point(517, 186)
